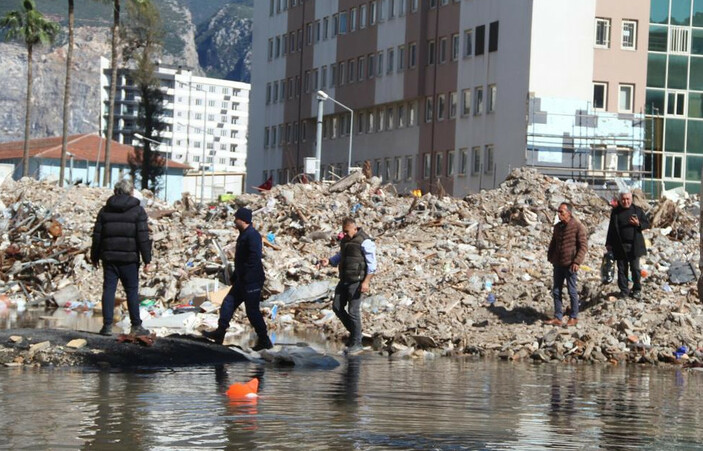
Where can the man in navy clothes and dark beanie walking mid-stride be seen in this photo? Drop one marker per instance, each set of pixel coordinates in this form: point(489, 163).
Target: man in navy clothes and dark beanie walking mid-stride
point(248, 281)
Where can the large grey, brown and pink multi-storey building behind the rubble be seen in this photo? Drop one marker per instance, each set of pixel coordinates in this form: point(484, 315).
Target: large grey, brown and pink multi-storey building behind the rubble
point(450, 94)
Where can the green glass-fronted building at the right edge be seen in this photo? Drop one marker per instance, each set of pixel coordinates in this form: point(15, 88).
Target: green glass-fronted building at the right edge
point(674, 102)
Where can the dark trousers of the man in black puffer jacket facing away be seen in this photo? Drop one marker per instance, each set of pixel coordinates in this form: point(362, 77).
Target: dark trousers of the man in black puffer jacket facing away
point(128, 274)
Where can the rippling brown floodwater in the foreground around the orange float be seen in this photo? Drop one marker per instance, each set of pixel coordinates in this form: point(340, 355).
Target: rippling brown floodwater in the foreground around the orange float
point(366, 403)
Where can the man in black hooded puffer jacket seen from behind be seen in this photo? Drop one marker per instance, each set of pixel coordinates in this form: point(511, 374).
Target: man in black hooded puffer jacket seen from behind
point(120, 238)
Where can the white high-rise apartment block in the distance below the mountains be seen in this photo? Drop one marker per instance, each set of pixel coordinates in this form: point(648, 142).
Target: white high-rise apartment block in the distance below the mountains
point(206, 125)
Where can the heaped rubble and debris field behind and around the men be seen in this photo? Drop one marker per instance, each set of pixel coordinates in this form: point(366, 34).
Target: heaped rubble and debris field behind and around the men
point(455, 276)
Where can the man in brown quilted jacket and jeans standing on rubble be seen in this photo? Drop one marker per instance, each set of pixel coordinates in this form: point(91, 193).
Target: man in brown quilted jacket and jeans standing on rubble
point(566, 252)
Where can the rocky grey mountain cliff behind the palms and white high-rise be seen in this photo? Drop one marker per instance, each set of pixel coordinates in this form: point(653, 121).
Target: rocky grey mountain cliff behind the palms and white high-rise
point(225, 53)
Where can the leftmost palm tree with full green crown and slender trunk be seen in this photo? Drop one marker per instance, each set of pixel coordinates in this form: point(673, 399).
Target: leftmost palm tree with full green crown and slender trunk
point(29, 26)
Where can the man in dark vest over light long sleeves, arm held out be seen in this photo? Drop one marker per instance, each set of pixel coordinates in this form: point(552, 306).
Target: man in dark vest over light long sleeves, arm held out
point(356, 260)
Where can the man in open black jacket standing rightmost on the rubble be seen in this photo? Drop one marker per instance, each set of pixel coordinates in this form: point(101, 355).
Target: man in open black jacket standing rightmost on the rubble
point(626, 242)
